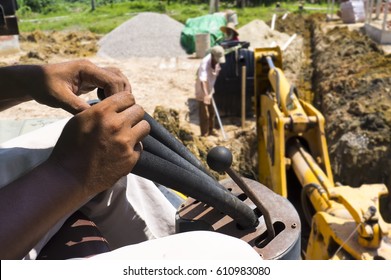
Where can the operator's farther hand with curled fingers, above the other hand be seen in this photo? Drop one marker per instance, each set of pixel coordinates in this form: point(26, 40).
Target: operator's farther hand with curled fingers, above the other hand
point(66, 81)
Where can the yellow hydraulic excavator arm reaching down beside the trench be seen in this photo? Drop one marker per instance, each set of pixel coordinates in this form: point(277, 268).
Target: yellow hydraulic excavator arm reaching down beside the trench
point(344, 222)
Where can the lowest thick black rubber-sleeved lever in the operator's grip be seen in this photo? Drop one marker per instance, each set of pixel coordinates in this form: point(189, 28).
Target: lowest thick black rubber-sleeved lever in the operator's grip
point(198, 187)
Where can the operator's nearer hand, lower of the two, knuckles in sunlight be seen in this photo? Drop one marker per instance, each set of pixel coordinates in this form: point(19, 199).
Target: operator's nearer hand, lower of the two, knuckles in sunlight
point(100, 145)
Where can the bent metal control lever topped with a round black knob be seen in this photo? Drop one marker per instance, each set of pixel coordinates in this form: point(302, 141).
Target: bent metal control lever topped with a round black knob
point(220, 159)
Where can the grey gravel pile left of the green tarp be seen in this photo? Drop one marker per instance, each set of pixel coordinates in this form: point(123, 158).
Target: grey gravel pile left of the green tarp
point(145, 35)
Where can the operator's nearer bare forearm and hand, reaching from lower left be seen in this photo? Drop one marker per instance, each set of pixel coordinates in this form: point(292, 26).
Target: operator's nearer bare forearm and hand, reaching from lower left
point(96, 148)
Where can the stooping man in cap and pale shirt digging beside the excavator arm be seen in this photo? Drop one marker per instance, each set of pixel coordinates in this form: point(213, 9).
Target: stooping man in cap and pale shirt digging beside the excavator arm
point(204, 88)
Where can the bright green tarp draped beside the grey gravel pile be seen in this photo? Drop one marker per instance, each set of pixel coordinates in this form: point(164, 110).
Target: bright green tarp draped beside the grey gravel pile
point(205, 24)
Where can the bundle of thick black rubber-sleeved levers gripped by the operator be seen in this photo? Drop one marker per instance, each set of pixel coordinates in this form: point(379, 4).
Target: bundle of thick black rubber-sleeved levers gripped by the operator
point(166, 161)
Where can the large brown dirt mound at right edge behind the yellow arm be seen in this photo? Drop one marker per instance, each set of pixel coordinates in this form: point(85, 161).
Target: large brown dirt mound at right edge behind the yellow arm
point(352, 82)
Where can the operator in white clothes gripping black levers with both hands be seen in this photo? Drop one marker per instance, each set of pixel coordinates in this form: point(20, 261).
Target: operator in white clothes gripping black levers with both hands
point(84, 163)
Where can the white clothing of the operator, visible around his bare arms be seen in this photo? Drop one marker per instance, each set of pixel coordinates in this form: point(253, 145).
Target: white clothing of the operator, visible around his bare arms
point(134, 216)
